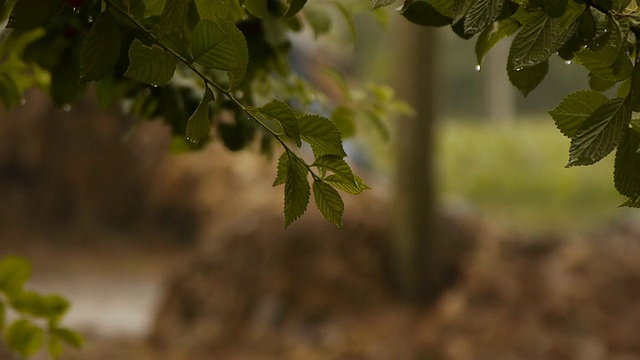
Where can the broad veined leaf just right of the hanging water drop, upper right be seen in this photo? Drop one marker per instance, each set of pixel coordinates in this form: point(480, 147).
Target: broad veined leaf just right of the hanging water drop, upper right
point(534, 43)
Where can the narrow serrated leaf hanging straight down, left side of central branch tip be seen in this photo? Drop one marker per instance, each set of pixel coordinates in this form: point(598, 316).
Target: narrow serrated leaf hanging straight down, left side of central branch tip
point(296, 190)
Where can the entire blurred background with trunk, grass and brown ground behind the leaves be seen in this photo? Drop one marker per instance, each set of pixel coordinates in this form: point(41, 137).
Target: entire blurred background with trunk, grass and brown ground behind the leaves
point(183, 256)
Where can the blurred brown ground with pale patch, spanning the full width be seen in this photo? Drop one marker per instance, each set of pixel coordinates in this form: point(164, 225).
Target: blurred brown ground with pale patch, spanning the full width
point(184, 257)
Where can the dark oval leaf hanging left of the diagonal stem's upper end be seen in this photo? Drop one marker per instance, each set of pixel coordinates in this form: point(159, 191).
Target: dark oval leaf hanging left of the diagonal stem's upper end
point(100, 49)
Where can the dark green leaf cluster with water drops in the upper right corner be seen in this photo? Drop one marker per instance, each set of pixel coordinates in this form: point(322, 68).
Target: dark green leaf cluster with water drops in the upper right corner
point(601, 35)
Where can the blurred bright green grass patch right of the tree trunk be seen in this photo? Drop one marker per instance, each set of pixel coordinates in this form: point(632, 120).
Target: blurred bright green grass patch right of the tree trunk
point(514, 174)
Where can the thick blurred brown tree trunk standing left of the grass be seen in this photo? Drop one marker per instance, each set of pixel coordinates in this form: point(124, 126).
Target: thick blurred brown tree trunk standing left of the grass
point(417, 243)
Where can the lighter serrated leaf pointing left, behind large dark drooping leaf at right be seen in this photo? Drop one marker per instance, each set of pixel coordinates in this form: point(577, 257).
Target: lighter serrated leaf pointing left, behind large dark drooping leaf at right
point(574, 110)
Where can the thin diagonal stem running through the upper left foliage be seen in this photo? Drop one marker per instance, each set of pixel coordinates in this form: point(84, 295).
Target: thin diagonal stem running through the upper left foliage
point(227, 93)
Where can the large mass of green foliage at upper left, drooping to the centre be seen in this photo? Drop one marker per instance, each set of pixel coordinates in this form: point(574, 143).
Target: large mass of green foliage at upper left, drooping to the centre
point(214, 69)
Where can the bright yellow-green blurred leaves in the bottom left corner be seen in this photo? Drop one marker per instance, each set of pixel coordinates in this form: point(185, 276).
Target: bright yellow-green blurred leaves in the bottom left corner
point(26, 335)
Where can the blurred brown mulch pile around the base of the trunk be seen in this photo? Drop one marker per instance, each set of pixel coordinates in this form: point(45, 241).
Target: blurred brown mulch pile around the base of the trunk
point(256, 292)
